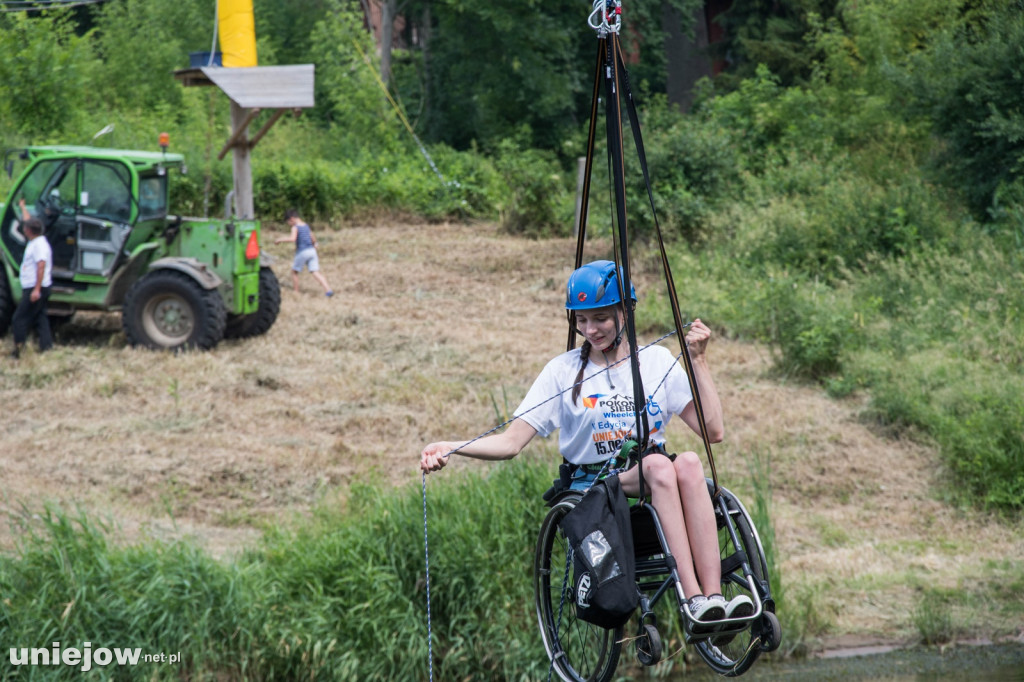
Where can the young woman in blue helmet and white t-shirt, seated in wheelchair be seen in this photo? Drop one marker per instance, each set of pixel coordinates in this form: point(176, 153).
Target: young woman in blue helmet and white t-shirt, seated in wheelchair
point(599, 414)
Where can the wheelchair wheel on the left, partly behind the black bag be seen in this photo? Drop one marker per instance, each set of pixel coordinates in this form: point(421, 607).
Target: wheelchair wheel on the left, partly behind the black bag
point(579, 652)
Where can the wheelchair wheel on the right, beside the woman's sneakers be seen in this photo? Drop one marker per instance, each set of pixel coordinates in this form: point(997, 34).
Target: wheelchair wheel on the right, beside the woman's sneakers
point(734, 655)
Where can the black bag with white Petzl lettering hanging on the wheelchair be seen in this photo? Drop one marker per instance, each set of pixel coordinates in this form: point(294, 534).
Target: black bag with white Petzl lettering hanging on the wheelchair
point(605, 569)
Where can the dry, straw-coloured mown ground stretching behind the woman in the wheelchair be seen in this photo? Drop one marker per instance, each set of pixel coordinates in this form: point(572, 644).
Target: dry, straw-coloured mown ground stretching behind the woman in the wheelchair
point(432, 327)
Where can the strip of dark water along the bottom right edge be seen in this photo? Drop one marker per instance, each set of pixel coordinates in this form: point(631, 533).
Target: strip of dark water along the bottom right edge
point(998, 663)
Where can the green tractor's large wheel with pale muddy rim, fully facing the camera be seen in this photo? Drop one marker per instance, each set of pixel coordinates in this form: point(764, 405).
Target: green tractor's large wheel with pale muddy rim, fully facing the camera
point(169, 311)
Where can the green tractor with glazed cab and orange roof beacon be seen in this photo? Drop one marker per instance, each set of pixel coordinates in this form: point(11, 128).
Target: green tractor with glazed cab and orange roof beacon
point(179, 283)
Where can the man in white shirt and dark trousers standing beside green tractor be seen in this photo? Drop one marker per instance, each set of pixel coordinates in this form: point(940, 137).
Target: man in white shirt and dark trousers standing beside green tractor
point(36, 283)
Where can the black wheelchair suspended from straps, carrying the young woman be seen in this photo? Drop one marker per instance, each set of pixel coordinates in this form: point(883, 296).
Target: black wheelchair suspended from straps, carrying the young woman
point(583, 653)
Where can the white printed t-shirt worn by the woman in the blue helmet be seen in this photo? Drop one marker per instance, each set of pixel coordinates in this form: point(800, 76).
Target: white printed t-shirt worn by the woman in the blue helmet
point(593, 429)
